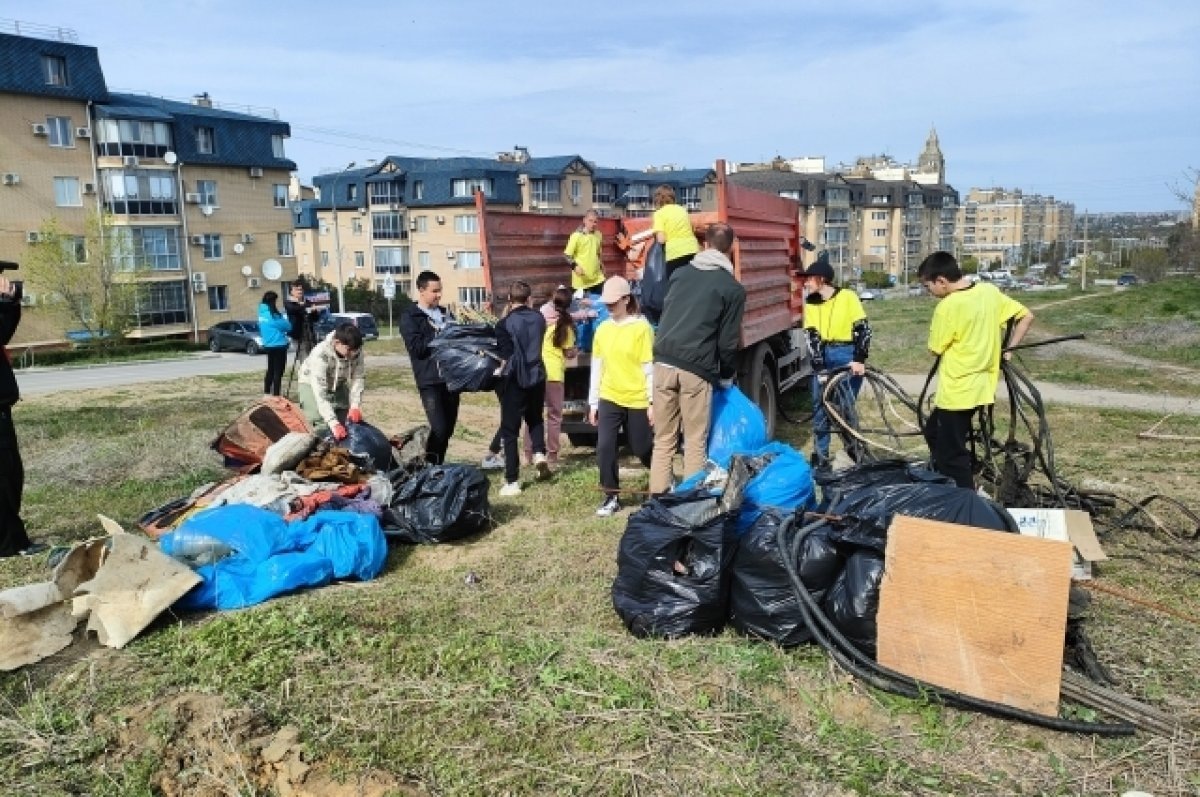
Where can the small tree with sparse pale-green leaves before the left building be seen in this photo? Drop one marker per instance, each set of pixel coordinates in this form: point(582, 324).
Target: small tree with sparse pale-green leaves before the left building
point(91, 280)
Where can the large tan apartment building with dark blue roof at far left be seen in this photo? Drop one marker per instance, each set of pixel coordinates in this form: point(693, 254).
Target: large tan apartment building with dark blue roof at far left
point(195, 193)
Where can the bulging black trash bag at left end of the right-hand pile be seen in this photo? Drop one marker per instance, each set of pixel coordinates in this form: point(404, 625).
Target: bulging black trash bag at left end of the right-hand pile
point(674, 566)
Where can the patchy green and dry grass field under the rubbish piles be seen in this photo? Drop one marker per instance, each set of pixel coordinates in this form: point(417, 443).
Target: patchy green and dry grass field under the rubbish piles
point(524, 681)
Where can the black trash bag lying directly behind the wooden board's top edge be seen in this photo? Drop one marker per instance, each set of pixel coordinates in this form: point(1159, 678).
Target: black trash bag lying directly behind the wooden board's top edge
point(871, 511)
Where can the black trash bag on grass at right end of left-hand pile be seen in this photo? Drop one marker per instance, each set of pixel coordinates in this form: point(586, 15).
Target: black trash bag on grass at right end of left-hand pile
point(439, 505)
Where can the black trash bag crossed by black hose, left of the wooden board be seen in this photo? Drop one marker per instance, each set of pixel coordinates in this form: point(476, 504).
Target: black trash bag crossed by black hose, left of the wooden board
point(763, 601)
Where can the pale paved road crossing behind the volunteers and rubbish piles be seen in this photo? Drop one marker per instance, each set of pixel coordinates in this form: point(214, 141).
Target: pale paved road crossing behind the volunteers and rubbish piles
point(37, 382)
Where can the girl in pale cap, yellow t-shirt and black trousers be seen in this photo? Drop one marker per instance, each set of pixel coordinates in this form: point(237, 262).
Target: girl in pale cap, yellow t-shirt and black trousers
point(622, 387)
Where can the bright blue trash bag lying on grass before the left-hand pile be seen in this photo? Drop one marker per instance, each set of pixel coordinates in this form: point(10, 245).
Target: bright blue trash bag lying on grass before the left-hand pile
point(272, 558)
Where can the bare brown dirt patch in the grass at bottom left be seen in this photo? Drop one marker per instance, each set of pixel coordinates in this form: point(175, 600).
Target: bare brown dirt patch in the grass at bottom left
point(206, 748)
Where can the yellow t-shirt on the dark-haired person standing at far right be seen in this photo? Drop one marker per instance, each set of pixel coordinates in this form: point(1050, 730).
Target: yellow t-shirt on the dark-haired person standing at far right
point(967, 332)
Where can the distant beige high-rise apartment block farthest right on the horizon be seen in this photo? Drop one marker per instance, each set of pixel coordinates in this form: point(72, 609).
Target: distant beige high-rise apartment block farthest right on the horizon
point(1011, 227)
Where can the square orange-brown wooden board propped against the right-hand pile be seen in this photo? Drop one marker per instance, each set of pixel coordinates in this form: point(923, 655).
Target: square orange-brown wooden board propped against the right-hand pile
point(977, 612)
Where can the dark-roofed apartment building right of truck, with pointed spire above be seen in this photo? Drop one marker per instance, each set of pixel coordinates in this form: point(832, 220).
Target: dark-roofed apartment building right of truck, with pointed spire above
point(873, 215)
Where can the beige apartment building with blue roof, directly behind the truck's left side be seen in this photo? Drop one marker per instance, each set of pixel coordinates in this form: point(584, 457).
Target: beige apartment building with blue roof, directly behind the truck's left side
point(406, 215)
